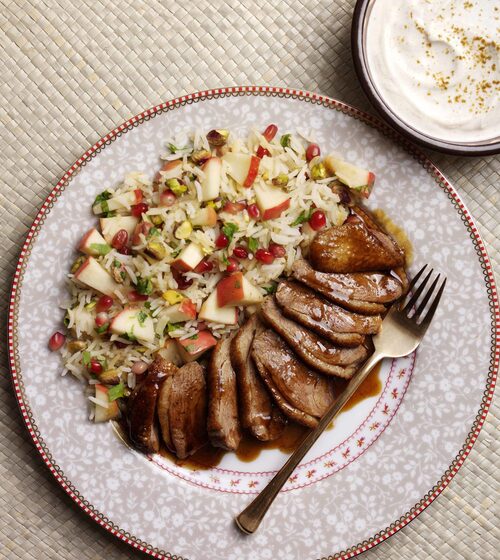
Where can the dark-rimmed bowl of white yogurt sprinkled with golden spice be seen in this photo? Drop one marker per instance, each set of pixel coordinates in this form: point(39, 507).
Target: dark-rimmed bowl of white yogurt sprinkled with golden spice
point(432, 68)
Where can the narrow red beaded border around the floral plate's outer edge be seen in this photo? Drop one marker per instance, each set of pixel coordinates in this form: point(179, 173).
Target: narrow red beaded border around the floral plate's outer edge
point(268, 91)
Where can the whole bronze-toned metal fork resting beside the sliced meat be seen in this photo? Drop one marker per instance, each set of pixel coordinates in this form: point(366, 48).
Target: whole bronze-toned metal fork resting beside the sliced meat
point(402, 330)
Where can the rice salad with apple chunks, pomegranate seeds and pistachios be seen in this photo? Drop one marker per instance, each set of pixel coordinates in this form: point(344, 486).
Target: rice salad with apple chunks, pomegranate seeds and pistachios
point(178, 260)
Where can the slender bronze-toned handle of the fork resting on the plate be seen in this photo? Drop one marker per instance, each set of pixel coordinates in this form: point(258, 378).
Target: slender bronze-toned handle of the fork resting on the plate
point(249, 519)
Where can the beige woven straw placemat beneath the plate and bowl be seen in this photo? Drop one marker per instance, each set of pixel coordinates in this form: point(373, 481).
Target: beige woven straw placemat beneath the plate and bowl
point(71, 71)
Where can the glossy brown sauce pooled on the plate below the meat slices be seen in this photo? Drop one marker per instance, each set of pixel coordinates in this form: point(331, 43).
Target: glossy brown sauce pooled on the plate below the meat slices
point(250, 448)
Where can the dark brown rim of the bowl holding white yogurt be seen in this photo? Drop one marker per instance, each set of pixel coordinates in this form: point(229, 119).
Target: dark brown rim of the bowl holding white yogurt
point(361, 68)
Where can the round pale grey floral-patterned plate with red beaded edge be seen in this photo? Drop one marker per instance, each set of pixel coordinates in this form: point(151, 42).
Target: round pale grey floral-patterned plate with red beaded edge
point(385, 460)
